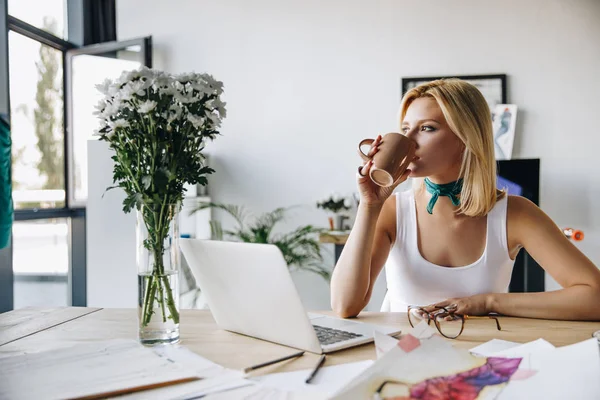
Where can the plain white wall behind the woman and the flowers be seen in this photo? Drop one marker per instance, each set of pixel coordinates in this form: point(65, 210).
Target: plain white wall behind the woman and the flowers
point(306, 80)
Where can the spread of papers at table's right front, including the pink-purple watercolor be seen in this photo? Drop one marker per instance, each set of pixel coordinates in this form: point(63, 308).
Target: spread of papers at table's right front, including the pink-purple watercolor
point(422, 365)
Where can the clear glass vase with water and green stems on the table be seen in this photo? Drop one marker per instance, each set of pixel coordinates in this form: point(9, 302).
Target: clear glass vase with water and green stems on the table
point(158, 263)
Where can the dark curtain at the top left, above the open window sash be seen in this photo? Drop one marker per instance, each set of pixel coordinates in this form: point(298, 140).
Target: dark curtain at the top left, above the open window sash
point(99, 21)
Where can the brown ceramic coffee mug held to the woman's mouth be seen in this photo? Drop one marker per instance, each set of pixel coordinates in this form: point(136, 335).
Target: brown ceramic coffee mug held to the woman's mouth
point(395, 153)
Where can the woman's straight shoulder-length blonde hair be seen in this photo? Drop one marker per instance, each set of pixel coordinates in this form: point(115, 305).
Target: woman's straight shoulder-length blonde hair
point(468, 115)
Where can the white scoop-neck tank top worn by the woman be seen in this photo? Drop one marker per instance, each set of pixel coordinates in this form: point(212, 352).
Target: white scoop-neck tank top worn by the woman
point(412, 280)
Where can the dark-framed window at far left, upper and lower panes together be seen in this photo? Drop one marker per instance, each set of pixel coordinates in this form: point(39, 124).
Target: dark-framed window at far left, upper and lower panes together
point(48, 236)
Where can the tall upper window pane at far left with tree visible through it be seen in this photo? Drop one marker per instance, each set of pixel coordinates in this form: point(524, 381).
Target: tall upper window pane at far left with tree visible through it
point(36, 94)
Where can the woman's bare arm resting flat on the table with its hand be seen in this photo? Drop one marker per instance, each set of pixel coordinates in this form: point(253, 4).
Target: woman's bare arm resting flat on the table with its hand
point(529, 226)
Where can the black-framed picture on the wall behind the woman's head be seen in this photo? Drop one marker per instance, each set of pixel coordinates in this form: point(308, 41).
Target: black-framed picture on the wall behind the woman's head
point(493, 87)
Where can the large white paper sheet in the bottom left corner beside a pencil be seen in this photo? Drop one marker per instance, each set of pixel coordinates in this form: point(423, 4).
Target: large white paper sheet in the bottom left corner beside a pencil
point(87, 370)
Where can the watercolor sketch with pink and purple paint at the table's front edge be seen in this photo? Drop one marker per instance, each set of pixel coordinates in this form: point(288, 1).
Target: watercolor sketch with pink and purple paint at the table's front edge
point(424, 366)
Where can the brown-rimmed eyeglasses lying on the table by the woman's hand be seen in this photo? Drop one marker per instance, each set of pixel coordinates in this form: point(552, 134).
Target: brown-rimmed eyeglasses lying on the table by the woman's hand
point(449, 324)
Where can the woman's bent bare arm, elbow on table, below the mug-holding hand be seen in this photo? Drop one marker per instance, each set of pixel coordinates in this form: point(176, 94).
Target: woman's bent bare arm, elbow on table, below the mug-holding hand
point(363, 257)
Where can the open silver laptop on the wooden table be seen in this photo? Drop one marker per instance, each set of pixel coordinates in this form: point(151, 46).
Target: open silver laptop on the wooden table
point(250, 291)
